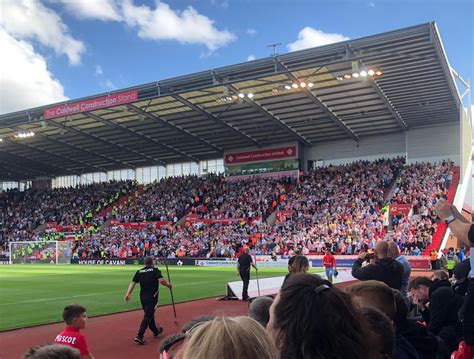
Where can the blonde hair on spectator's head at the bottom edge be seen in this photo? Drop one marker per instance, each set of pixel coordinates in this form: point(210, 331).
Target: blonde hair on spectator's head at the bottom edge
point(229, 338)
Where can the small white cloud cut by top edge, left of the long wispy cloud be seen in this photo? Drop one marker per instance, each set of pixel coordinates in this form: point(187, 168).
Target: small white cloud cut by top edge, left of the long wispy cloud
point(105, 10)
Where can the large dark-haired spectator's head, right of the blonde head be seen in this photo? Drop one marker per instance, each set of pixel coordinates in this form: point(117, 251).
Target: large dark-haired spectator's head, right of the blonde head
point(311, 319)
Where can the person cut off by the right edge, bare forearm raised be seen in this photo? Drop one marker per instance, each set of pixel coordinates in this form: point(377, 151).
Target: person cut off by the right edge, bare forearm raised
point(464, 231)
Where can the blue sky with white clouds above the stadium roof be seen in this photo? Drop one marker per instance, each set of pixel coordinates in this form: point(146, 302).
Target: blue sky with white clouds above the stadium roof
point(59, 49)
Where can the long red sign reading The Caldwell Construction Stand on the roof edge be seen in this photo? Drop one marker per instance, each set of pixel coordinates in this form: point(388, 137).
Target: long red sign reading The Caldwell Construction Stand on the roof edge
point(91, 105)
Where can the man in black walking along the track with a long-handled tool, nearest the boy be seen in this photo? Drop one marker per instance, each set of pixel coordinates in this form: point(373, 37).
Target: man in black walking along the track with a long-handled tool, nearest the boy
point(148, 277)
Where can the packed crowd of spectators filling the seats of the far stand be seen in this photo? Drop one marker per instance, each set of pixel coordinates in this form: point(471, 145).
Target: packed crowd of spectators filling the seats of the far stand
point(336, 208)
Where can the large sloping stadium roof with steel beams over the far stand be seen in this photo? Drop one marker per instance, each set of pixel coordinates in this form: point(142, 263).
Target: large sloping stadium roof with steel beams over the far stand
point(188, 118)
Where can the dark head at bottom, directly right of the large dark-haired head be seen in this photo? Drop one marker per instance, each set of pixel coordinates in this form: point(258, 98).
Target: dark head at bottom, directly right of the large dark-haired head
point(382, 329)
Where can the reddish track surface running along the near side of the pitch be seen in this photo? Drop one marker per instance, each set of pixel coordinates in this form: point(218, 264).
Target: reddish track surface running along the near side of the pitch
point(111, 336)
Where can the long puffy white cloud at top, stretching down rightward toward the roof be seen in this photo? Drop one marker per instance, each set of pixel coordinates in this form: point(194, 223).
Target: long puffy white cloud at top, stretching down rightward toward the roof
point(164, 23)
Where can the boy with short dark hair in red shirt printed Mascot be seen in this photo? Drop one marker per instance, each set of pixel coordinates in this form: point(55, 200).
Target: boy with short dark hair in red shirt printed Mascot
point(75, 317)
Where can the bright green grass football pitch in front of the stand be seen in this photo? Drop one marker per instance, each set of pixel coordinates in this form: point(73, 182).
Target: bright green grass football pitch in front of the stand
point(36, 294)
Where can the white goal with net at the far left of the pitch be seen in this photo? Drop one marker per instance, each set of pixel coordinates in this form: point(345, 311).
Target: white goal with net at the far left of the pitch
point(54, 252)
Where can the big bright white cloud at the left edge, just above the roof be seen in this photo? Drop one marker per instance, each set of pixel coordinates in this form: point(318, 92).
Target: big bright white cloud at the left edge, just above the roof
point(25, 80)
